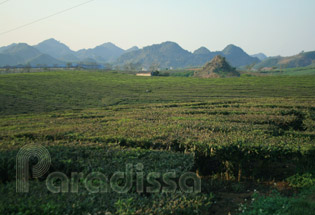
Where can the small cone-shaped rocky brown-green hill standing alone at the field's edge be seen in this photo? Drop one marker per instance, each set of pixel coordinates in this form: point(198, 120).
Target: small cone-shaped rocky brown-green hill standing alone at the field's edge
point(217, 68)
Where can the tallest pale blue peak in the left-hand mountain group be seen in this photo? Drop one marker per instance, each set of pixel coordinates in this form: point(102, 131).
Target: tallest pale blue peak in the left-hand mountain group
point(57, 50)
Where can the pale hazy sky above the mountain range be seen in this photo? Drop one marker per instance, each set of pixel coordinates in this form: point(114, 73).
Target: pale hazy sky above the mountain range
point(274, 27)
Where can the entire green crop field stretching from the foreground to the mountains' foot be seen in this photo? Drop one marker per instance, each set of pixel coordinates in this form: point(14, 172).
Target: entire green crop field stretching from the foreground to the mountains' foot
point(237, 134)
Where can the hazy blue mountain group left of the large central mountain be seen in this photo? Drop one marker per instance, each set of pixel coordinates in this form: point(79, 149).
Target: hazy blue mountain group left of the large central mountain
point(51, 52)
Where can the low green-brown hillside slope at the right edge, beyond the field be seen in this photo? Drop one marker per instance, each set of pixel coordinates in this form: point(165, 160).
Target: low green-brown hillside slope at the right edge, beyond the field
point(301, 60)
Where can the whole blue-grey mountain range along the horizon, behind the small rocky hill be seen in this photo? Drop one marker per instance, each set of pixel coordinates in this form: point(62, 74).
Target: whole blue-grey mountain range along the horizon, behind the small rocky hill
point(165, 55)
